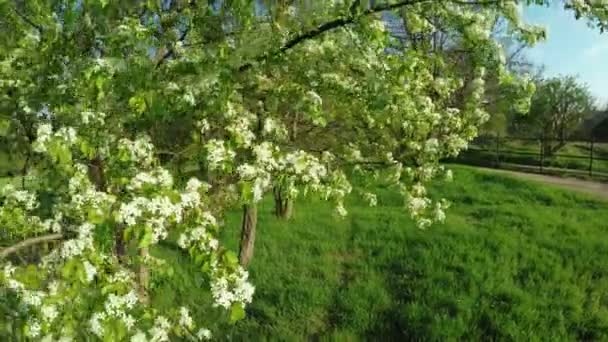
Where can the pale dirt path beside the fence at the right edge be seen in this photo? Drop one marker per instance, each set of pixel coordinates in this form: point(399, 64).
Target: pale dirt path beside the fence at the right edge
point(595, 188)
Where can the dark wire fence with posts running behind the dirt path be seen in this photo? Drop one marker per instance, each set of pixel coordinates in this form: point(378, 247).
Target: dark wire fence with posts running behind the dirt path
point(588, 158)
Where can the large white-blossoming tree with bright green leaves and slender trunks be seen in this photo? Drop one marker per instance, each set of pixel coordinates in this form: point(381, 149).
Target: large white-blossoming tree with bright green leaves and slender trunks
point(259, 95)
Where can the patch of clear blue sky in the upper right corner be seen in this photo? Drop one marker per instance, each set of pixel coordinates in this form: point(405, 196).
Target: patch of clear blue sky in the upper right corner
point(572, 48)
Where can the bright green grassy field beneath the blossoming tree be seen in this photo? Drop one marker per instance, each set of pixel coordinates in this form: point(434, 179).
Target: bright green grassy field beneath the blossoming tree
point(514, 261)
